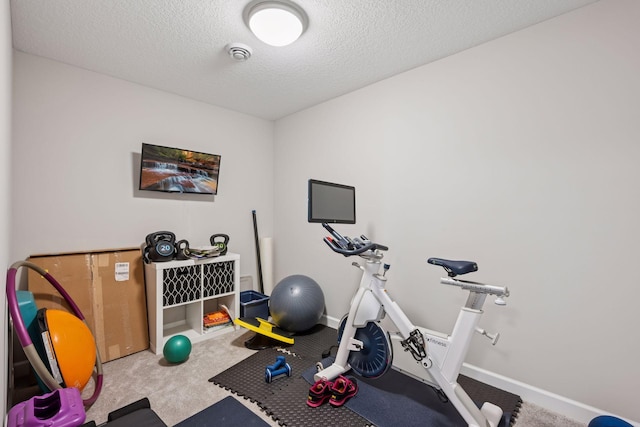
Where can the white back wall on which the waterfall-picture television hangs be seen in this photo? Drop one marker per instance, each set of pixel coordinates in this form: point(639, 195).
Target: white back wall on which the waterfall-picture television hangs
point(77, 140)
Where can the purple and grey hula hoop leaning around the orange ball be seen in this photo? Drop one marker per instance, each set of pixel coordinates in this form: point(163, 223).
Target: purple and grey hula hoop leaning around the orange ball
point(25, 340)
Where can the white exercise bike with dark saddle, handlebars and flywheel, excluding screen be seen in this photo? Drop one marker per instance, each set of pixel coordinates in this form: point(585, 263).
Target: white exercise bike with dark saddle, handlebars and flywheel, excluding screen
point(428, 356)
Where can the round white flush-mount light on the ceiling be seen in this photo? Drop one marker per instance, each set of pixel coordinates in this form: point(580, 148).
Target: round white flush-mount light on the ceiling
point(276, 22)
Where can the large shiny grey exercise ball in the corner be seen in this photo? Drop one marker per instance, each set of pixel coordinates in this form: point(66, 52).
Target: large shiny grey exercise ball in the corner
point(296, 303)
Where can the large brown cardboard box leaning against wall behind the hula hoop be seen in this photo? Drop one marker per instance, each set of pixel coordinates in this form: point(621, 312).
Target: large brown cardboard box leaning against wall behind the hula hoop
point(108, 287)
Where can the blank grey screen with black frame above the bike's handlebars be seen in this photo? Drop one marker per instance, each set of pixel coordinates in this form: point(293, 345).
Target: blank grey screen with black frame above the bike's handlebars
point(331, 203)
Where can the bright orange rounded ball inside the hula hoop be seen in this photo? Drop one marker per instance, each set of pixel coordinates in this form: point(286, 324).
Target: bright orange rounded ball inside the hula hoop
point(73, 346)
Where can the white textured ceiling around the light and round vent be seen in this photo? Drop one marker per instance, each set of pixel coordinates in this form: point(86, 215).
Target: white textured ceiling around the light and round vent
point(178, 45)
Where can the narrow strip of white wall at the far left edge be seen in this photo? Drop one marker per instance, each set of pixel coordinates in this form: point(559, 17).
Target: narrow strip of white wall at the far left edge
point(5, 164)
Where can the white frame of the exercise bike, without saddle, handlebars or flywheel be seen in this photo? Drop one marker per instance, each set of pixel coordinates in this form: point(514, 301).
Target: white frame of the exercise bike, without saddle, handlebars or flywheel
point(444, 354)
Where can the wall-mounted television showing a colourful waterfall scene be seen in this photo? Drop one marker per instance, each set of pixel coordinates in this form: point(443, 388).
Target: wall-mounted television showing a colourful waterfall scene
point(175, 170)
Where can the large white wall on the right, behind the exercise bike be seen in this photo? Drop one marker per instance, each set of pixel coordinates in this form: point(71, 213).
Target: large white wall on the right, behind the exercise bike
point(520, 154)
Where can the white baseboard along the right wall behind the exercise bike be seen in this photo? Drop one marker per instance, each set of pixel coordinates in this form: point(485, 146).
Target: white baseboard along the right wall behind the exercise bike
point(545, 399)
